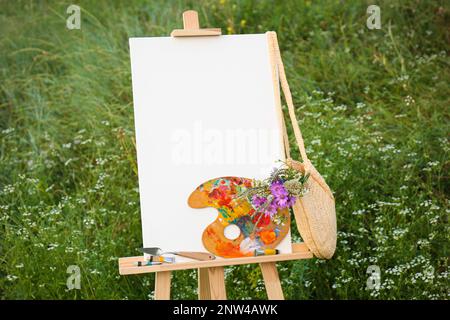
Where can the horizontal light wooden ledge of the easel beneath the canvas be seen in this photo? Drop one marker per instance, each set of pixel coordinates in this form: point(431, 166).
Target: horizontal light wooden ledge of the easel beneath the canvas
point(127, 265)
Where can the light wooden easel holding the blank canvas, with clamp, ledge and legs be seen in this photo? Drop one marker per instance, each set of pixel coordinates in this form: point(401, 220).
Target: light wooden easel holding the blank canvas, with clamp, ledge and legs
point(211, 280)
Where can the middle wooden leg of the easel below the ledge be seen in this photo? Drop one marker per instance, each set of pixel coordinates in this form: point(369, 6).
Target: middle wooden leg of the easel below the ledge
point(211, 284)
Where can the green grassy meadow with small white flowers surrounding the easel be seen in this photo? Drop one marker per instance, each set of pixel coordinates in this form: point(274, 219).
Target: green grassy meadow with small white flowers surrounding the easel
point(373, 106)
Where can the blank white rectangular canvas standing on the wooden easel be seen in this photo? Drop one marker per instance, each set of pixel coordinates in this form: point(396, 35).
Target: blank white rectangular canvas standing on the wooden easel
point(204, 108)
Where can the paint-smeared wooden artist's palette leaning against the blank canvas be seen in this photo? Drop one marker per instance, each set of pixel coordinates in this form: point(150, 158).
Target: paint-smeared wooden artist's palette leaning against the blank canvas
point(257, 231)
